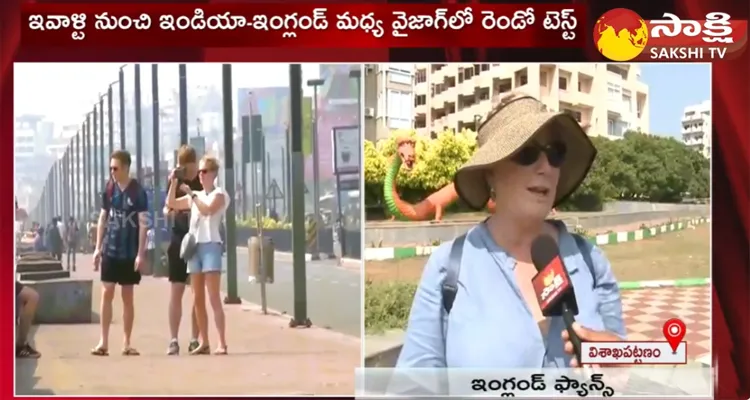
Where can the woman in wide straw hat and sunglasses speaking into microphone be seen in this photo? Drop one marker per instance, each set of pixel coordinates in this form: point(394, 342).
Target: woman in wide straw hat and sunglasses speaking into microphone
point(528, 161)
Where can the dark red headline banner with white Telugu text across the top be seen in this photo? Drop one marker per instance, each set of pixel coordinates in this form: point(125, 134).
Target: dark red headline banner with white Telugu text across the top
point(303, 25)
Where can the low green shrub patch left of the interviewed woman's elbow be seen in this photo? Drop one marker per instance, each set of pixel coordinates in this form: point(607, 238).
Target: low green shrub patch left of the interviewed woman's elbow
point(387, 305)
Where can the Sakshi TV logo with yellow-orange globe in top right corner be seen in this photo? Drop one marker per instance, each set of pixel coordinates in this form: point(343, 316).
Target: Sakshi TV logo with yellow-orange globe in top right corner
point(622, 35)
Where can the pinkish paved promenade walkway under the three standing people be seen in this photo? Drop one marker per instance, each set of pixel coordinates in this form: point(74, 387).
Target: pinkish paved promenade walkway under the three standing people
point(266, 356)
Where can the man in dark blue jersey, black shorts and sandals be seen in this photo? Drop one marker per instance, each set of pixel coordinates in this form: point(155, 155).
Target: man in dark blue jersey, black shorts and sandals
point(120, 246)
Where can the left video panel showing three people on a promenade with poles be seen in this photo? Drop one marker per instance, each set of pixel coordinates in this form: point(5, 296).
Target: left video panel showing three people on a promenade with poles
point(250, 172)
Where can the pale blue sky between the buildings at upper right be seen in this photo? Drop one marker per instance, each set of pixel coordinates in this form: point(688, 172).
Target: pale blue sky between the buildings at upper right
point(672, 87)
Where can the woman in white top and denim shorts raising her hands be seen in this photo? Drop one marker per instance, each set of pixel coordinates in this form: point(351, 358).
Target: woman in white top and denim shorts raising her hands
point(207, 208)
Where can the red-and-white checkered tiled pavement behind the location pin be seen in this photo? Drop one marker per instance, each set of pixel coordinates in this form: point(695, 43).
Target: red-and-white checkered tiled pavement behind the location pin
point(646, 310)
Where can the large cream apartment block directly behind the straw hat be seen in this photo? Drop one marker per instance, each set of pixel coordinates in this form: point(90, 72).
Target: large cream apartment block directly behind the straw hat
point(609, 98)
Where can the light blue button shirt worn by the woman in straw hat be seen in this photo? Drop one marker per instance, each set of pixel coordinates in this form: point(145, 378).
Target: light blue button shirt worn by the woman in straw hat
point(490, 325)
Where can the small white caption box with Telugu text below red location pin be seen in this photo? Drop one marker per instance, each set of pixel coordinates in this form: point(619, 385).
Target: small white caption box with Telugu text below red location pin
point(655, 353)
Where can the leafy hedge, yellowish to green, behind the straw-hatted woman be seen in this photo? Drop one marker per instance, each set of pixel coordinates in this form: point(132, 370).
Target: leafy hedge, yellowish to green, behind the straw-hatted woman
point(638, 167)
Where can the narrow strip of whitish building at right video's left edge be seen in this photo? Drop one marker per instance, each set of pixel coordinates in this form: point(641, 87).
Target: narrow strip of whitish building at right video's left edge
point(389, 102)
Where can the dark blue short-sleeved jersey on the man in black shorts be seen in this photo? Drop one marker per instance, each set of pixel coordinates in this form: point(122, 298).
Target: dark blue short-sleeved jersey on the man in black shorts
point(122, 207)
